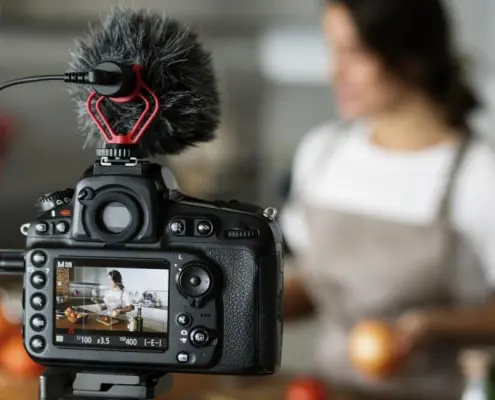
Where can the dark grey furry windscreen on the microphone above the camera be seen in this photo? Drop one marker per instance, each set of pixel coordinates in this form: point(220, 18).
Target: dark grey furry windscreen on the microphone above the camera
point(175, 67)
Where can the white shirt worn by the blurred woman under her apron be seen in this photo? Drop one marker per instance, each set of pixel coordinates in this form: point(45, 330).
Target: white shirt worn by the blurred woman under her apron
point(361, 178)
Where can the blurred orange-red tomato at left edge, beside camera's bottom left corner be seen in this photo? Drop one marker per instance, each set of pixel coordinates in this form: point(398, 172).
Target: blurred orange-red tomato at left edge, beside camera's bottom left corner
point(15, 360)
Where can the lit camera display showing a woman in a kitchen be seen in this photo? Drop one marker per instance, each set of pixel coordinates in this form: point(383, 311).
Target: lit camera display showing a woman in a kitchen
point(111, 303)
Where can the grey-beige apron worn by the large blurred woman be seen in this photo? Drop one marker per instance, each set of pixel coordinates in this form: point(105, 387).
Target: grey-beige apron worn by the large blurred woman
point(359, 267)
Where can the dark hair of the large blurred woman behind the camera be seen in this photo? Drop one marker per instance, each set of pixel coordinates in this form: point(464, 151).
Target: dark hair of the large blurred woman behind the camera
point(413, 38)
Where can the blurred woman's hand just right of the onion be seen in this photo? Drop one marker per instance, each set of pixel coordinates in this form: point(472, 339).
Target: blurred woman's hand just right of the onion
point(415, 329)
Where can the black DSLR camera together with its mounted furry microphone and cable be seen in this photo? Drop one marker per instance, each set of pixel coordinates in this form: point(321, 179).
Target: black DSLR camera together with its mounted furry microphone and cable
point(126, 272)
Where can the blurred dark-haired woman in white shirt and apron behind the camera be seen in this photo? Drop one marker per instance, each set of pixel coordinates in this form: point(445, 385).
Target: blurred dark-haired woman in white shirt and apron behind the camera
point(391, 214)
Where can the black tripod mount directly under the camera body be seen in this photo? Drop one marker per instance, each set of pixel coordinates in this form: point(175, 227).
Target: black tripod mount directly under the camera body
point(63, 384)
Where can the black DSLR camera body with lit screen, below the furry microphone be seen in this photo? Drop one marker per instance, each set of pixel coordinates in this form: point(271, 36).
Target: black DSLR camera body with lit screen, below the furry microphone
point(124, 271)
